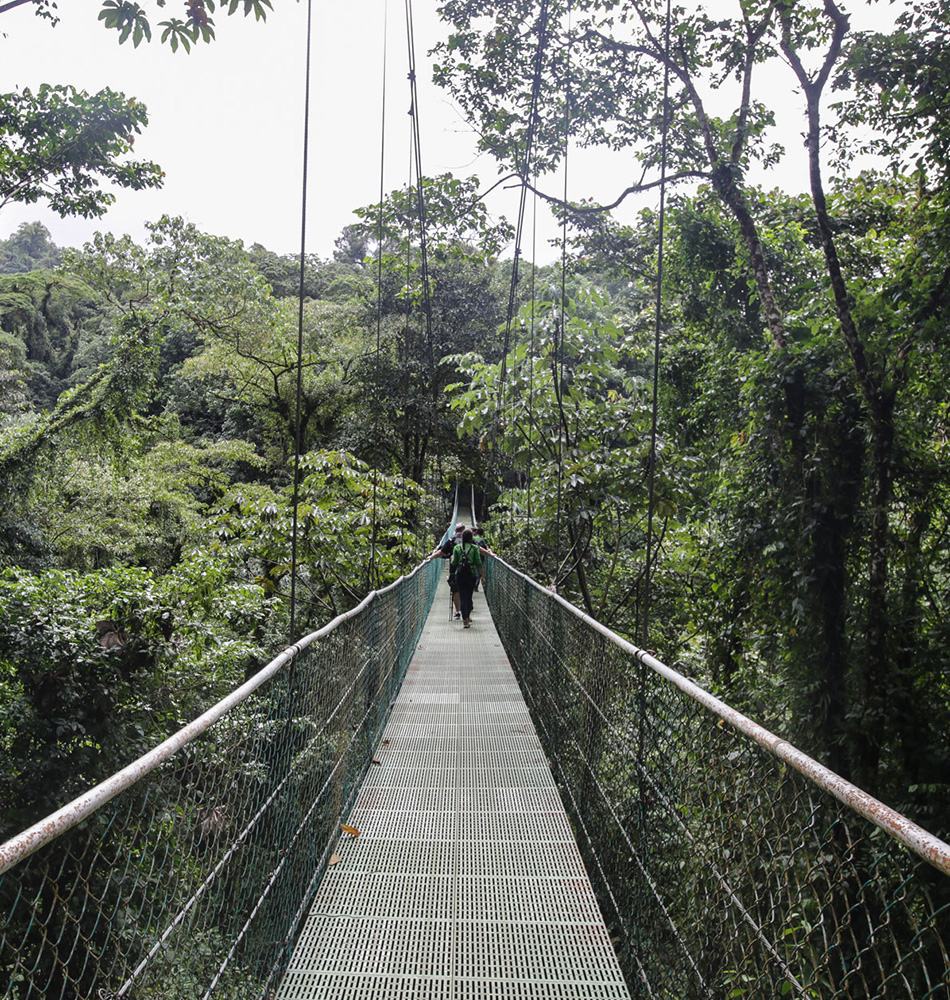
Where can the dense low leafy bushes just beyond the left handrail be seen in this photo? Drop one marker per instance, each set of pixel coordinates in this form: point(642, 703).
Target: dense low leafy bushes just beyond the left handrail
point(95, 668)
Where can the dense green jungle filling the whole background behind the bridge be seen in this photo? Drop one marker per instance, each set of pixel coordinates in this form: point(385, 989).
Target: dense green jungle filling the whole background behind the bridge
point(147, 400)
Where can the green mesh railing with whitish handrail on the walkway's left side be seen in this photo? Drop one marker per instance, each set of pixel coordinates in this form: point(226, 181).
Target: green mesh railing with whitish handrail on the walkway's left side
point(192, 881)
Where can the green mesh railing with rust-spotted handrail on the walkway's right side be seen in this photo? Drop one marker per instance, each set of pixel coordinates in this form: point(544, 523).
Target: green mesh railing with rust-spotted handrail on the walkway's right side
point(723, 870)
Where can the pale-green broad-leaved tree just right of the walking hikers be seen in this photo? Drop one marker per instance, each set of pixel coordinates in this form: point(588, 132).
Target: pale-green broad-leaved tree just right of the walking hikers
point(575, 422)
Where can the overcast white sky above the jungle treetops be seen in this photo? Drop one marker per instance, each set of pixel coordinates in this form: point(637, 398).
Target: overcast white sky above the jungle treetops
point(226, 120)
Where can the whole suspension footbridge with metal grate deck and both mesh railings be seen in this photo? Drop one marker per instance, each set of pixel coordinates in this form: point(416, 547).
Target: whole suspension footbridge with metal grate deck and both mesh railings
point(397, 808)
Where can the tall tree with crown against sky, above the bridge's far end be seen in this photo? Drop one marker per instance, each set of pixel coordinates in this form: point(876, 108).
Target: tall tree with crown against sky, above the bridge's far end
point(400, 419)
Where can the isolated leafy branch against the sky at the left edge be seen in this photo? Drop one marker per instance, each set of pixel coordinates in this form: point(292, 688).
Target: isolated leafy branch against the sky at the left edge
point(60, 143)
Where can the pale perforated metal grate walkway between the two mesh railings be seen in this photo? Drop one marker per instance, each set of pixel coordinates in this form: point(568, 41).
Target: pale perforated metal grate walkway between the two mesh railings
point(465, 881)
